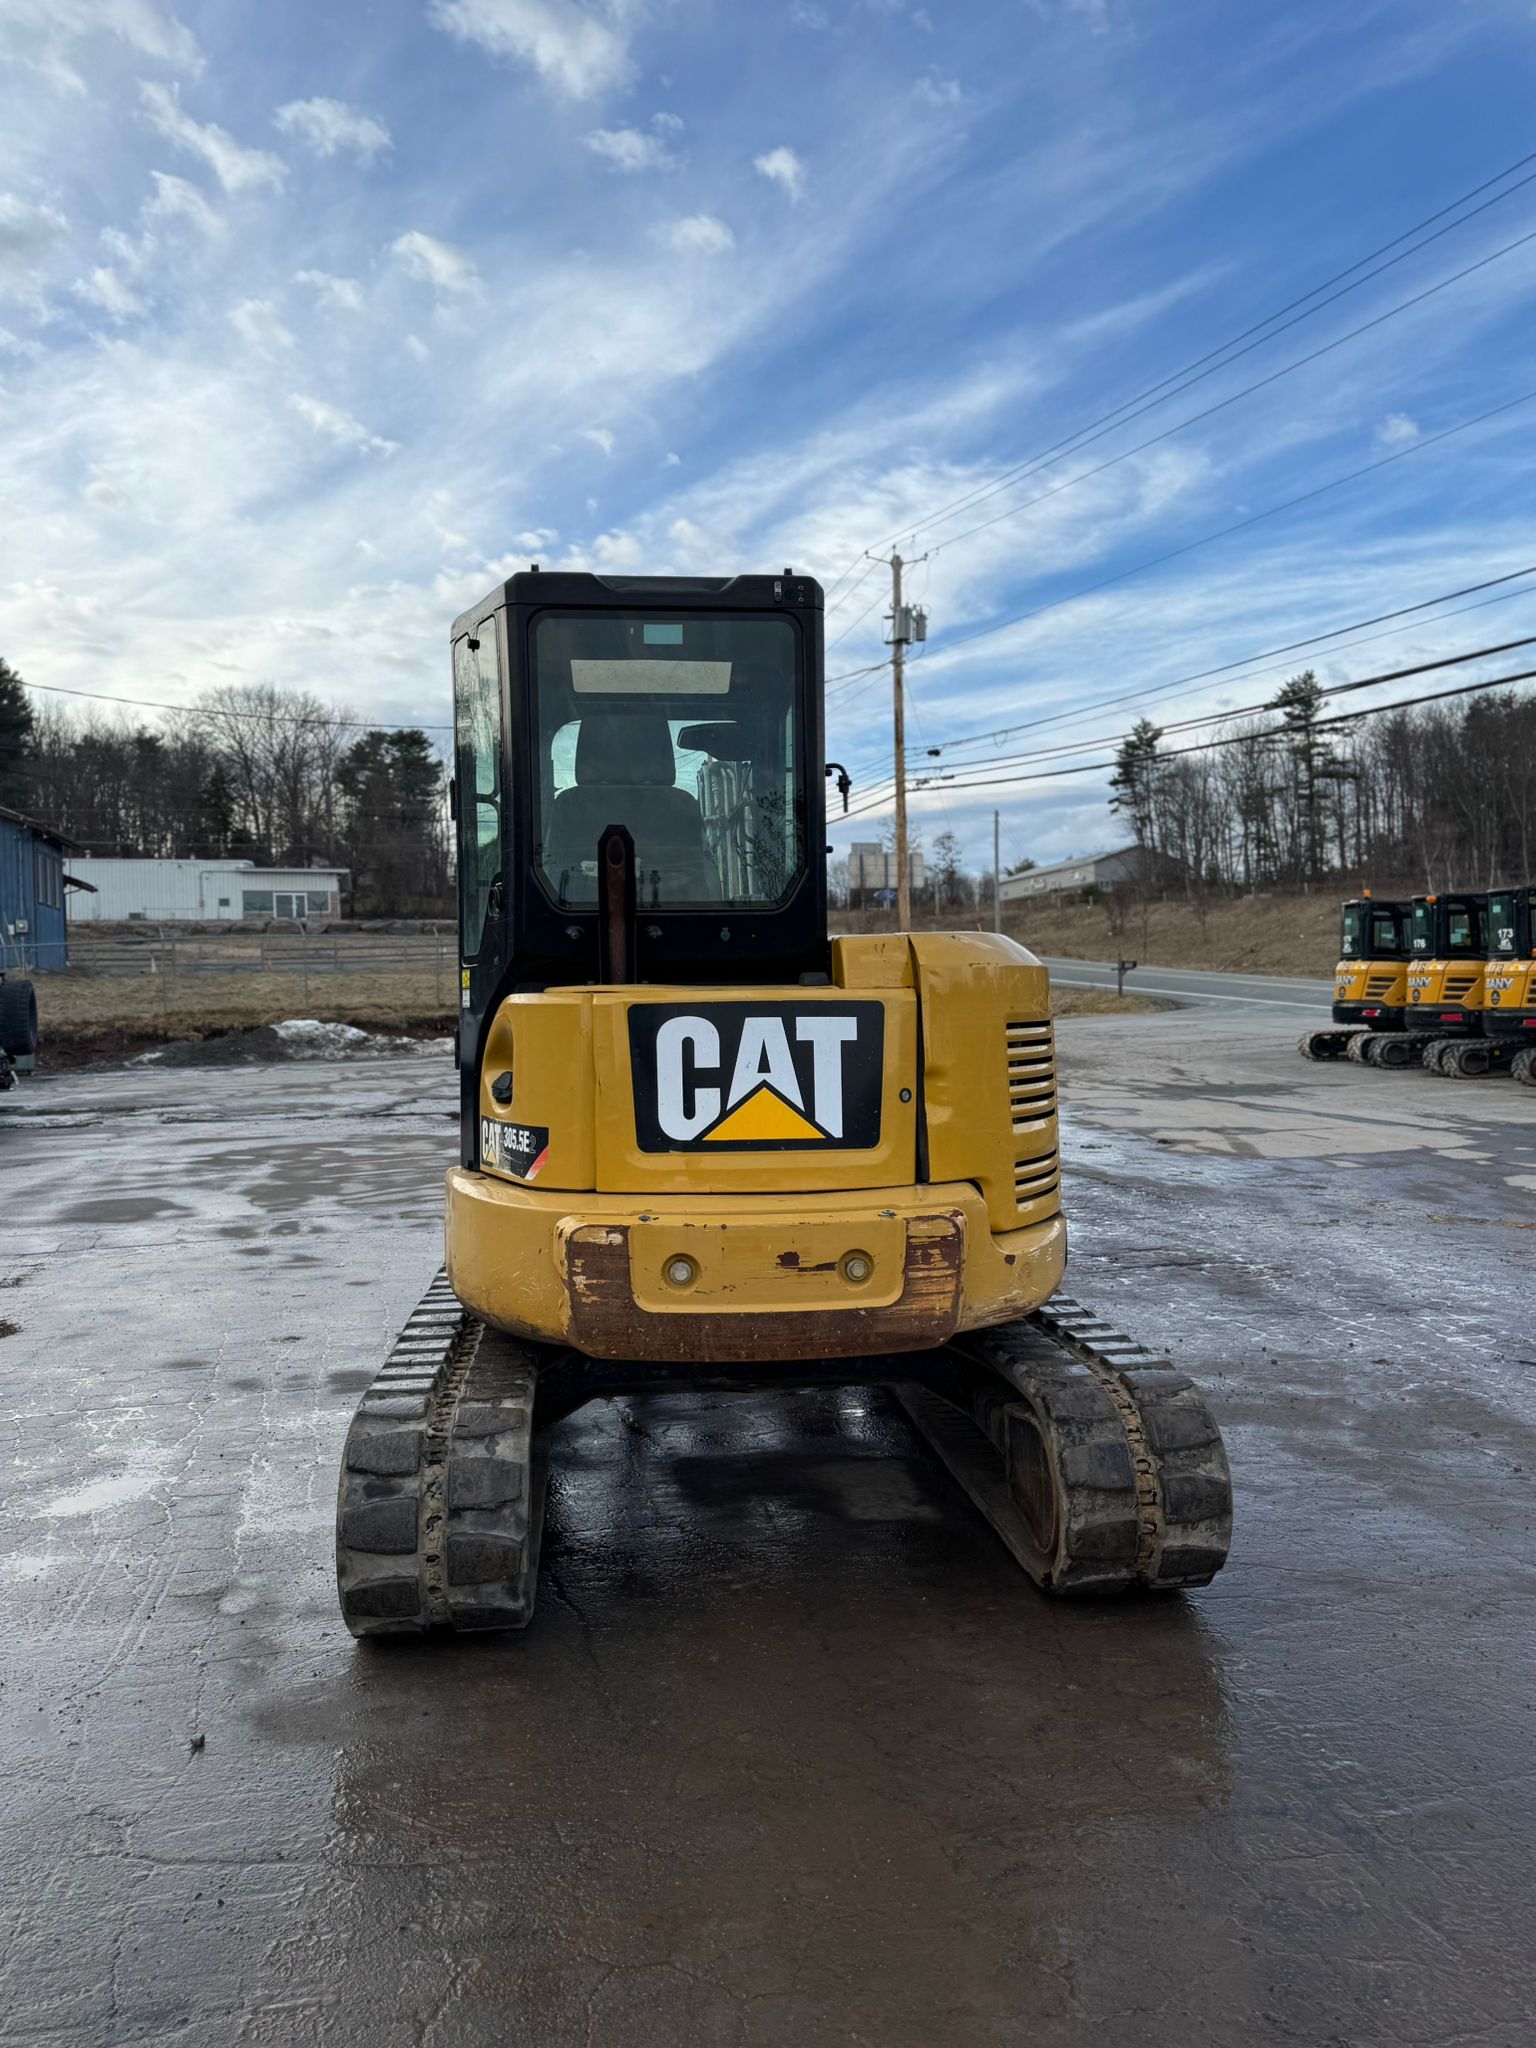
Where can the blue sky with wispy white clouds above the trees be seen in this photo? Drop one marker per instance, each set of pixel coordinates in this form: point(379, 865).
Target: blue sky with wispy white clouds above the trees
point(321, 318)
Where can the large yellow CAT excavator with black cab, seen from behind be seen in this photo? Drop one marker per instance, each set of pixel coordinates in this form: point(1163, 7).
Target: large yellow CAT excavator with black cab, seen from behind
point(706, 1146)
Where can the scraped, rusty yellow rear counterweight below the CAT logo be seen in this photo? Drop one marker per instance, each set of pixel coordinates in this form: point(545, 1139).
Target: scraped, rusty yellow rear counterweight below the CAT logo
point(769, 1277)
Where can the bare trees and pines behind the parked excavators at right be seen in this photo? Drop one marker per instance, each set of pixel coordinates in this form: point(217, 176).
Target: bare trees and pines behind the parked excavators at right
point(1439, 796)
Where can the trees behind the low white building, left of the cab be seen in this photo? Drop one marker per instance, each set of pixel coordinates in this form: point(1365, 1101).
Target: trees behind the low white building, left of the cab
point(247, 773)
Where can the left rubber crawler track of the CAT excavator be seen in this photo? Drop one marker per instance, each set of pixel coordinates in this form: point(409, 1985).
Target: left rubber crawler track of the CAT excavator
point(441, 1498)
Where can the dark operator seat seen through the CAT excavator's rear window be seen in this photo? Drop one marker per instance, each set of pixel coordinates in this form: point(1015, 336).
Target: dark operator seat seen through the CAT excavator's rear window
point(626, 775)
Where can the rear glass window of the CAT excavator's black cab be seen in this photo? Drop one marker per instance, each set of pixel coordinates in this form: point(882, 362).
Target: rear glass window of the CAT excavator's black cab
point(685, 732)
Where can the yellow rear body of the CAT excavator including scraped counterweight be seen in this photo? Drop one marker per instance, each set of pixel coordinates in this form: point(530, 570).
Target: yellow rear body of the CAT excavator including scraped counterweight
point(783, 1242)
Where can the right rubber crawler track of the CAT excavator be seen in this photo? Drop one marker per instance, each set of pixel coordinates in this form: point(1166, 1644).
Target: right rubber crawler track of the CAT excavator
point(1097, 1463)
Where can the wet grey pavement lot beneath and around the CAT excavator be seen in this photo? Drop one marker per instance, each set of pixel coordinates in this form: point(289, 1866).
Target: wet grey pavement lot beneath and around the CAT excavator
point(792, 1752)
